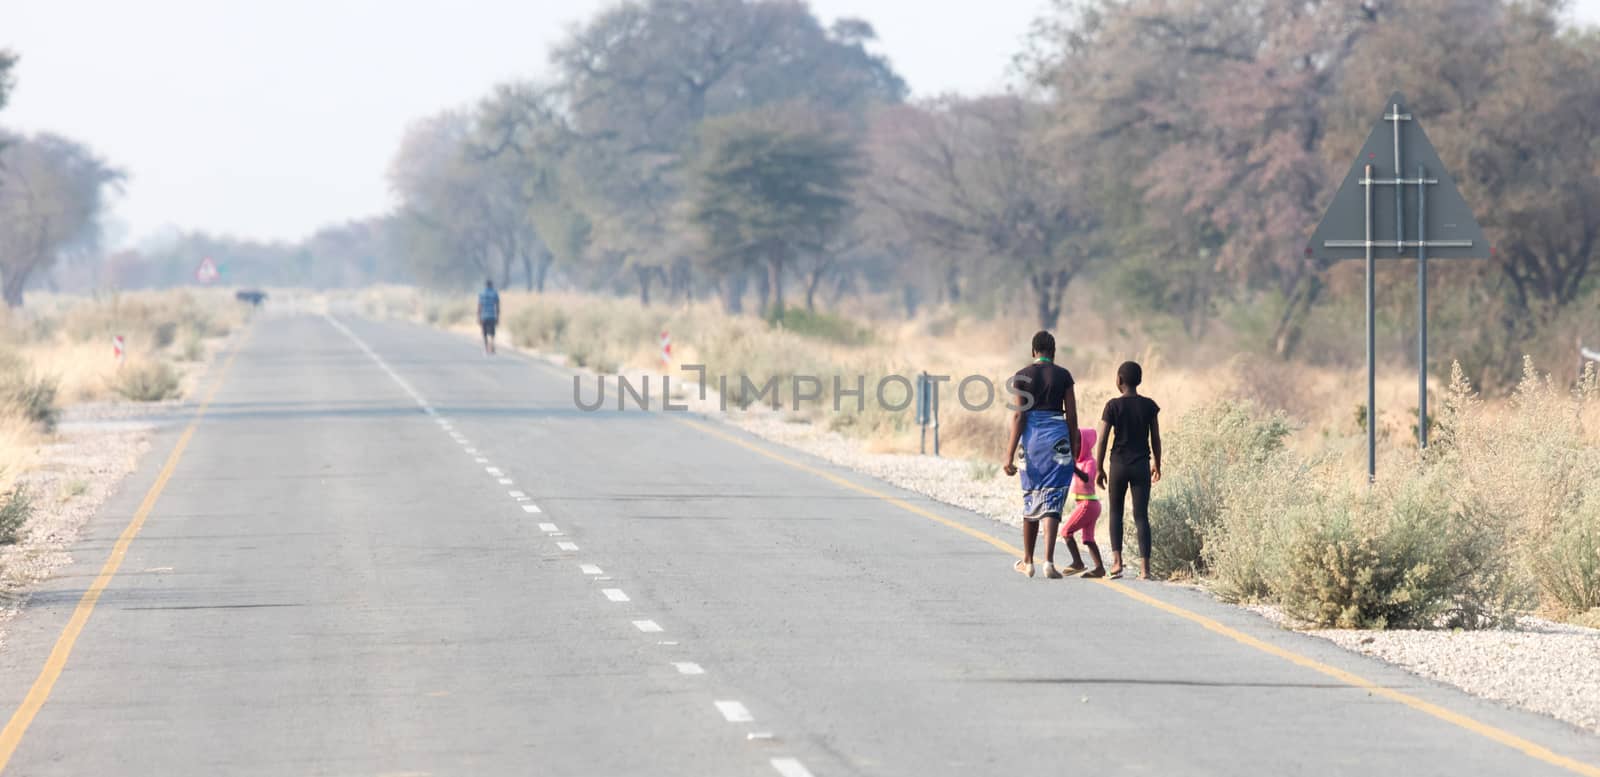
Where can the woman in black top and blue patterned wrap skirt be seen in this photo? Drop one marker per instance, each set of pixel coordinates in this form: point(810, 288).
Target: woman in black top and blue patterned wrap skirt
point(1046, 426)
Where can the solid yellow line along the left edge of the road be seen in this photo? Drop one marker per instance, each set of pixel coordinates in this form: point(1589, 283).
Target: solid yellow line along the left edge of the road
point(12, 736)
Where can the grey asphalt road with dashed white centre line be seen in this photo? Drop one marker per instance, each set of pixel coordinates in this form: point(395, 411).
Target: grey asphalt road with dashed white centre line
point(343, 578)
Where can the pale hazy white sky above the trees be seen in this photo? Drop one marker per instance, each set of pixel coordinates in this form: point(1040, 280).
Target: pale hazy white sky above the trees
point(271, 118)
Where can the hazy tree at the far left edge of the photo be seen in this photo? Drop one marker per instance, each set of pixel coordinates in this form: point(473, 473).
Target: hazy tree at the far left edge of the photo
point(52, 194)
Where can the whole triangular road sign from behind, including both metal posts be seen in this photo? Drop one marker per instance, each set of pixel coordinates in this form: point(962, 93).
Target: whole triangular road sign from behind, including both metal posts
point(1450, 220)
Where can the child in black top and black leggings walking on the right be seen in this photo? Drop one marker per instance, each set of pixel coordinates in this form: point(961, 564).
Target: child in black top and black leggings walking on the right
point(1138, 440)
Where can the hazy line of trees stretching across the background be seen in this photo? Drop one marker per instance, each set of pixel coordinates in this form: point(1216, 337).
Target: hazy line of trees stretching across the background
point(1178, 153)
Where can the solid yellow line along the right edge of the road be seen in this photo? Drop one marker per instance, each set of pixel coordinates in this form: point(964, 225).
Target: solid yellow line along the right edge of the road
point(1484, 730)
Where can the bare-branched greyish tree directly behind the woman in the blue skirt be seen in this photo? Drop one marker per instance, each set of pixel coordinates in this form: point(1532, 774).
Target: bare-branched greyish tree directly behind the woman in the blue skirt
point(975, 177)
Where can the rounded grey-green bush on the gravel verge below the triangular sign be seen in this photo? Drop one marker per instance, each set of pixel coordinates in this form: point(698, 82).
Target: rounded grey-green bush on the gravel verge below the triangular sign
point(1404, 557)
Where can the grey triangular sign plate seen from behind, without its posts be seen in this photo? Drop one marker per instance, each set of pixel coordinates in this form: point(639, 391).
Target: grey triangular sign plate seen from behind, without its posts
point(1450, 229)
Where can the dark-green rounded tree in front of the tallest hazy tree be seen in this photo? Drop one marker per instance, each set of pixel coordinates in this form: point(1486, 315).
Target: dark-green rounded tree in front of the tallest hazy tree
point(770, 191)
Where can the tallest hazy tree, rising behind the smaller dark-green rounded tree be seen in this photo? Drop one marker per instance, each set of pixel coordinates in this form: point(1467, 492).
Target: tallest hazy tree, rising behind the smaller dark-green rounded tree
point(644, 76)
